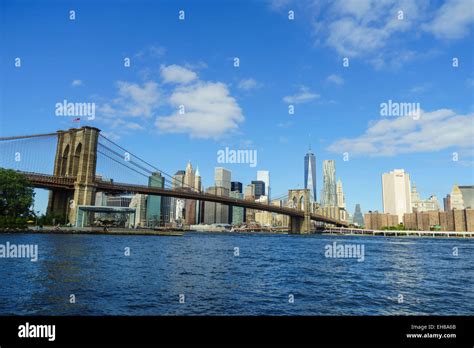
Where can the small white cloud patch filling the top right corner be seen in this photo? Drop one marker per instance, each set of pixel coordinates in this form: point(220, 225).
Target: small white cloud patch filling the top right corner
point(452, 20)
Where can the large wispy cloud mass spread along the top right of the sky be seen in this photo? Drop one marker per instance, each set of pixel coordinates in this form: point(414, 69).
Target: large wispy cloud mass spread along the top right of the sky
point(371, 31)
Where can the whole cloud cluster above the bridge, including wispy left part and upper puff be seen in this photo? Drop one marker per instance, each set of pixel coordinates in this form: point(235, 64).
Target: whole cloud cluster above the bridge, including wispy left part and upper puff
point(175, 102)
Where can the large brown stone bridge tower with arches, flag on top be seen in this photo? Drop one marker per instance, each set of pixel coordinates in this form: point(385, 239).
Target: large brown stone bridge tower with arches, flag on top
point(76, 156)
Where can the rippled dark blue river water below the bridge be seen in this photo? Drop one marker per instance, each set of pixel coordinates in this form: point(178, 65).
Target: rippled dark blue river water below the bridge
point(237, 274)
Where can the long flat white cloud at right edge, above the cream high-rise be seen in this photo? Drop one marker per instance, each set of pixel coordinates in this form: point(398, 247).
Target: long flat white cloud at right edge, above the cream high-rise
point(434, 131)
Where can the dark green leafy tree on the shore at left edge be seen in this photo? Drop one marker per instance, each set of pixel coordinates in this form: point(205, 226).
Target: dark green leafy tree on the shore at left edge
point(16, 194)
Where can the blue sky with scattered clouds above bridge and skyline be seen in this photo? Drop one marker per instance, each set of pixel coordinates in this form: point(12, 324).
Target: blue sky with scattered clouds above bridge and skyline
point(299, 62)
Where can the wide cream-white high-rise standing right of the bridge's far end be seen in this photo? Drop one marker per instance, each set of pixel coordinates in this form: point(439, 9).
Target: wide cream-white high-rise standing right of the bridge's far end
point(396, 193)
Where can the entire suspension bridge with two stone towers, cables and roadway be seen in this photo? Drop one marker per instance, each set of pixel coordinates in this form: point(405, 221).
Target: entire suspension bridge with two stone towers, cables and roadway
point(73, 181)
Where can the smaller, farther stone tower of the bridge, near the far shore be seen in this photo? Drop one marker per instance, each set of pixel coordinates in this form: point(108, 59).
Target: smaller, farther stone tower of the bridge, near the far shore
point(299, 199)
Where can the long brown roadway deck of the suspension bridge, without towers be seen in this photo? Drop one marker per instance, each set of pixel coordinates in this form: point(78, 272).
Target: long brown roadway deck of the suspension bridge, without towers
point(67, 183)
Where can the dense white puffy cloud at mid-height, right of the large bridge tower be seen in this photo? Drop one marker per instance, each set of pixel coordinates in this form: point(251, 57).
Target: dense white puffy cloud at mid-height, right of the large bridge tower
point(210, 112)
